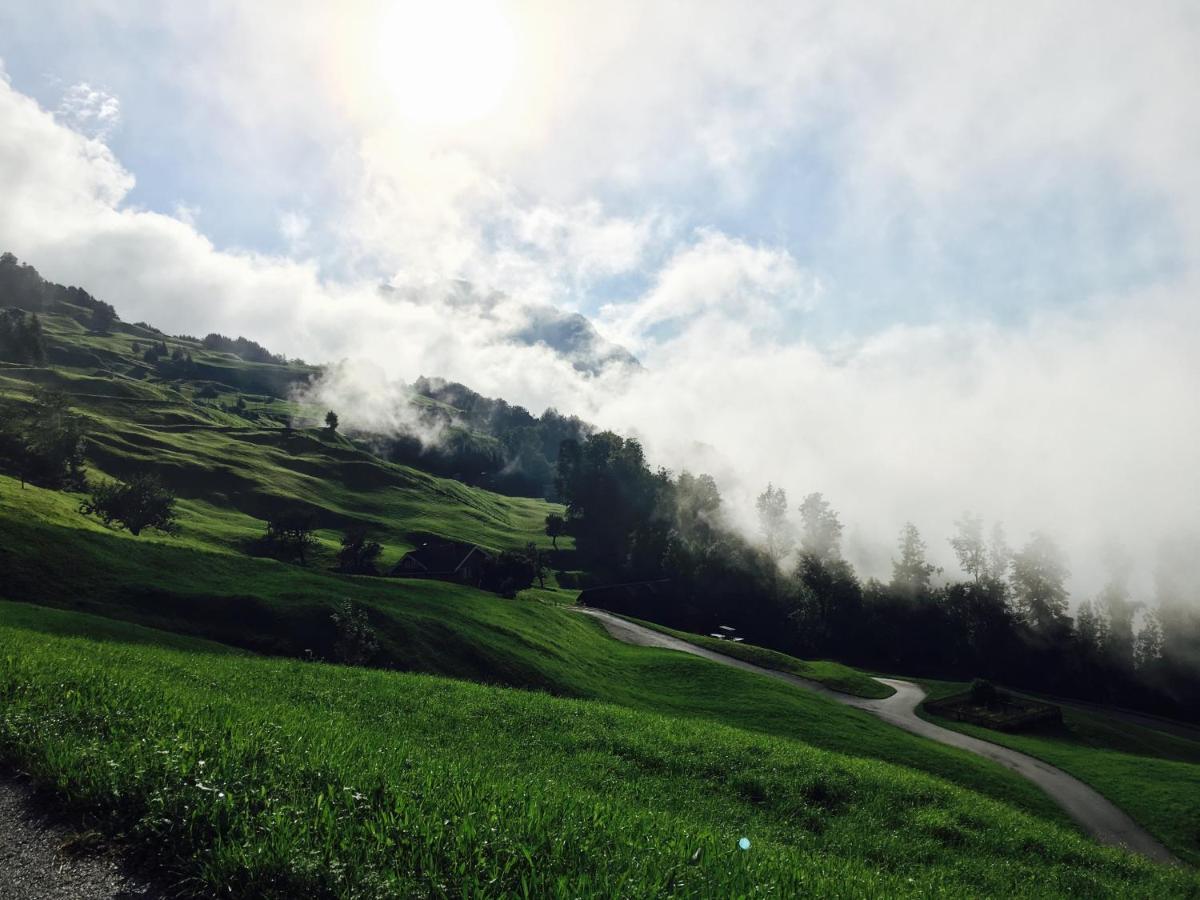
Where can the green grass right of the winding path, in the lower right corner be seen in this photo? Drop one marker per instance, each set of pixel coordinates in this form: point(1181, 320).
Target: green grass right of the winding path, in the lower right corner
point(1151, 776)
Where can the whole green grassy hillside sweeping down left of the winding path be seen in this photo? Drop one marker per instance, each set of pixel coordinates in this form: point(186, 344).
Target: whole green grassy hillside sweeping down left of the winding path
point(350, 783)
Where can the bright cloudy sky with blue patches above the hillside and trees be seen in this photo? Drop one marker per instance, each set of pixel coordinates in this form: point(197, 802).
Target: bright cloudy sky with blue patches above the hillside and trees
point(925, 259)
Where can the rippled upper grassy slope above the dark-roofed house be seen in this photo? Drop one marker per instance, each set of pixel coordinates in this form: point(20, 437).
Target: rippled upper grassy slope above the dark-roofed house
point(235, 470)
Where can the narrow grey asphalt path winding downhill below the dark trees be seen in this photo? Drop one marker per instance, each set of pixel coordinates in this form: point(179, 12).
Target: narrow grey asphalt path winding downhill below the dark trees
point(1096, 814)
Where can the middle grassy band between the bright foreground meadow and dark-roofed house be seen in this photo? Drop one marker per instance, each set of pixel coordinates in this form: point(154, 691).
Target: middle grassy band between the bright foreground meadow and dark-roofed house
point(429, 627)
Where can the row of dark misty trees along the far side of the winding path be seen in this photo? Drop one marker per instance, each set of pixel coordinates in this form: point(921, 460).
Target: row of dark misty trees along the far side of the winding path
point(1005, 616)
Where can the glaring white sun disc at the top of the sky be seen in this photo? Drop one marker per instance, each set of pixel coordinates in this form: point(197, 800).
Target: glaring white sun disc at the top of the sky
point(446, 62)
